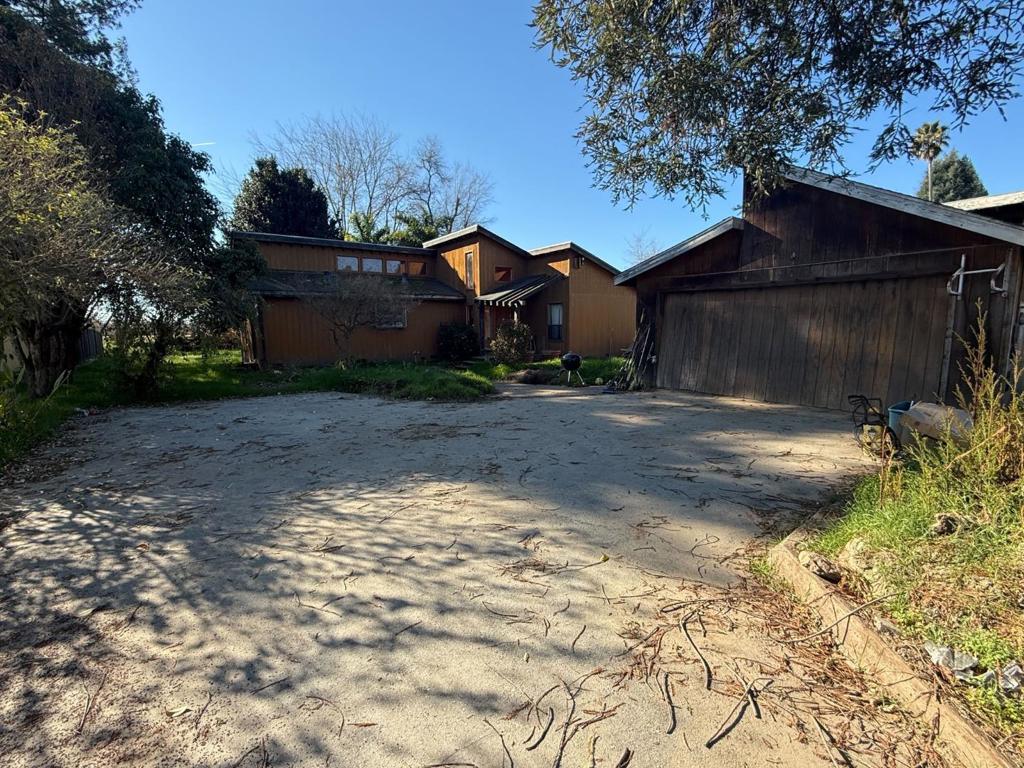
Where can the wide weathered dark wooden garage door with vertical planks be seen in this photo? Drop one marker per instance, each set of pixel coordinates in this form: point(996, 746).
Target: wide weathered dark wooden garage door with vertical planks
point(809, 345)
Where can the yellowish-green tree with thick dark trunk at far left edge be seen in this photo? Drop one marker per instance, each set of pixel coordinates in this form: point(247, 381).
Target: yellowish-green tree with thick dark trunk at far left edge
point(65, 247)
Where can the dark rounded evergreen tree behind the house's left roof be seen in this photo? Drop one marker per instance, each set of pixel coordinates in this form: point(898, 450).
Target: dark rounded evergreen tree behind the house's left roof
point(284, 202)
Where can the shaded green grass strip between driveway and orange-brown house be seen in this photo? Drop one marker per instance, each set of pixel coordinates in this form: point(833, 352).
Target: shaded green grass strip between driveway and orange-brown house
point(191, 377)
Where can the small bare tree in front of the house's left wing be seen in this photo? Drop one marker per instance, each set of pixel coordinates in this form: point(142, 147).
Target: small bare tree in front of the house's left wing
point(357, 302)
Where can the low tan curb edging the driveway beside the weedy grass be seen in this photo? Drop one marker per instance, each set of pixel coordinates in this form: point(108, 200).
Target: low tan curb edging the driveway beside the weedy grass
point(865, 651)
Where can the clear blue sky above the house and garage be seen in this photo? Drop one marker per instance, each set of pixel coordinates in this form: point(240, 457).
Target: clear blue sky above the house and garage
point(460, 70)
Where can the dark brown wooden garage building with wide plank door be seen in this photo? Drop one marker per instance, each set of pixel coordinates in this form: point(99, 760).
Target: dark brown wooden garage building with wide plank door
point(828, 288)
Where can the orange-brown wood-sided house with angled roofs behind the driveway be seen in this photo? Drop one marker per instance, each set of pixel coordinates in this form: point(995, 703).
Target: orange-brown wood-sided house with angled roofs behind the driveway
point(565, 293)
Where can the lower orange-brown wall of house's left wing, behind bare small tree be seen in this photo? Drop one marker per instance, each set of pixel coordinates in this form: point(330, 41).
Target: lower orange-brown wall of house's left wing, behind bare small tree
point(295, 334)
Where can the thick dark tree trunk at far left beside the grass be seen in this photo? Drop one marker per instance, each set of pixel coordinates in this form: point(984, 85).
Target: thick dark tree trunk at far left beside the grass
point(49, 349)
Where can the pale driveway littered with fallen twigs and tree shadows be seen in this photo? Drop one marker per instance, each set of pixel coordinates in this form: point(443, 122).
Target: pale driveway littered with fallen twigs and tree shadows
point(332, 580)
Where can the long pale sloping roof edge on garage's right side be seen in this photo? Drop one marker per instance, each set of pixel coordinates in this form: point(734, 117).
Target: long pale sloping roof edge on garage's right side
point(909, 204)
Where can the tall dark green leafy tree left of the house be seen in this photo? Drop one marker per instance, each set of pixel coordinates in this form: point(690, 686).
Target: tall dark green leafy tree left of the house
point(57, 60)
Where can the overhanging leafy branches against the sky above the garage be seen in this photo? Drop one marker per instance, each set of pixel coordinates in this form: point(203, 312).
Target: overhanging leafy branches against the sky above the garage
point(684, 94)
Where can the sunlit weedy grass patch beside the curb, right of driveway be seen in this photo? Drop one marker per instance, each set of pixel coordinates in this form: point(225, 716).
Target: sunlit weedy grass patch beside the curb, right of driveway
point(962, 586)
